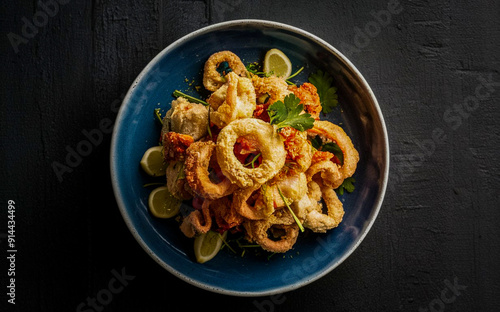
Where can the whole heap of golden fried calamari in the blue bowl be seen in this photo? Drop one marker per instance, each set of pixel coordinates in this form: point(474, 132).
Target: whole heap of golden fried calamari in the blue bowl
point(244, 174)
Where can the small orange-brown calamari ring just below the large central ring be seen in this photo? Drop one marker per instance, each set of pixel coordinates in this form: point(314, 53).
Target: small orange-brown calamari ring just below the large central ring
point(260, 209)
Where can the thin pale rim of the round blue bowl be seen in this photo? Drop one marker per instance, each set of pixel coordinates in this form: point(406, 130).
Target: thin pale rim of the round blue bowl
point(210, 28)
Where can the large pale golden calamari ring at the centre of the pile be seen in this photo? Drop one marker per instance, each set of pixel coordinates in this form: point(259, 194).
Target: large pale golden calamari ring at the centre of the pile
point(269, 143)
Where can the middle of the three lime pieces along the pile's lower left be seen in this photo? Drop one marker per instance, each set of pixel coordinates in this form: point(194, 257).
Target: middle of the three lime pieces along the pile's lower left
point(162, 204)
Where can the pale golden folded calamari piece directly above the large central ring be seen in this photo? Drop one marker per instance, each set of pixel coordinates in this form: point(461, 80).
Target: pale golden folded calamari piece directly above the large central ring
point(239, 101)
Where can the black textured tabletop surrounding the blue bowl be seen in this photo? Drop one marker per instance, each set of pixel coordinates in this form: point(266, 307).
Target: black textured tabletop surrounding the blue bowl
point(427, 64)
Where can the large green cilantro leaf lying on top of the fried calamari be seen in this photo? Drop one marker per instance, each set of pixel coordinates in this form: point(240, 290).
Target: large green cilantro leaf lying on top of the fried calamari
point(287, 113)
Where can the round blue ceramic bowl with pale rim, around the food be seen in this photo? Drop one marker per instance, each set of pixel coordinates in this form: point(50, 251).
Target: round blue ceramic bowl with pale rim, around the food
point(181, 64)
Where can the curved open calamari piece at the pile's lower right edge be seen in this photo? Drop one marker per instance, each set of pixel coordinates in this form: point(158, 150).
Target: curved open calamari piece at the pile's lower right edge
point(320, 222)
